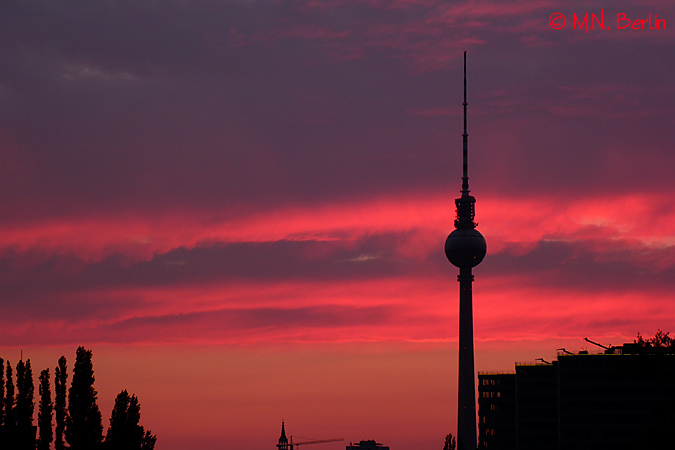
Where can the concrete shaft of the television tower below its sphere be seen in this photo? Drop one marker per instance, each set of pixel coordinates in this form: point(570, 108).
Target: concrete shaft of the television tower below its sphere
point(466, 396)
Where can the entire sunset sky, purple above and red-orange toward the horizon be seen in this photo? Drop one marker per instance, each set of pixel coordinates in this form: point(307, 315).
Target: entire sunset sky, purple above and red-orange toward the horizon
point(240, 206)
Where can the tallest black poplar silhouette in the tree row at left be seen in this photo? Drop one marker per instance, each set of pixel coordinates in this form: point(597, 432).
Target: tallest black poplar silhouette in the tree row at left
point(84, 429)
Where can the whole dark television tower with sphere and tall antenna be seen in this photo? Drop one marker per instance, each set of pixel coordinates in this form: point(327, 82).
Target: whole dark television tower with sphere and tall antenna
point(465, 248)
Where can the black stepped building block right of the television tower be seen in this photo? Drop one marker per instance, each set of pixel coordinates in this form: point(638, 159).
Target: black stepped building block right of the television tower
point(622, 398)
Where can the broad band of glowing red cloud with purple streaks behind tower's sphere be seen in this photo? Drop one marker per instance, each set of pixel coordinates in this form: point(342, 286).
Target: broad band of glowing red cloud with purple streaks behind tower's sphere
point(343, 272)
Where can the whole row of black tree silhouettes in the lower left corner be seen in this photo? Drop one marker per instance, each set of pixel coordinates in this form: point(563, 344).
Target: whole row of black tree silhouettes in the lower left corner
point(74, 411)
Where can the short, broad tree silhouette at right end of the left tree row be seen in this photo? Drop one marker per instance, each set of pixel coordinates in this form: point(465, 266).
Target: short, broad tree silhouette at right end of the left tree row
point(124, 432)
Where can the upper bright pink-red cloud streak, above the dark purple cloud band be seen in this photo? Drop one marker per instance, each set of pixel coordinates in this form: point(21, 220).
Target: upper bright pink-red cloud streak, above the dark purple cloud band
point(505, 220)
